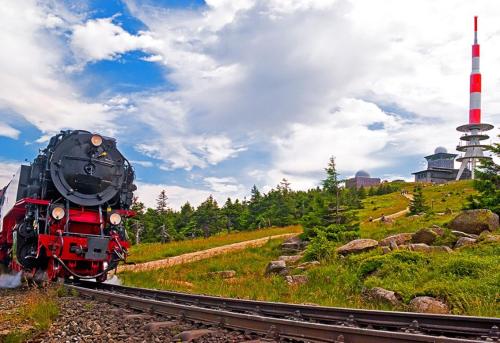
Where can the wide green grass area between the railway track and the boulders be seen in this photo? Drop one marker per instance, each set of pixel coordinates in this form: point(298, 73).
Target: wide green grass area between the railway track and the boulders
point(468, 280)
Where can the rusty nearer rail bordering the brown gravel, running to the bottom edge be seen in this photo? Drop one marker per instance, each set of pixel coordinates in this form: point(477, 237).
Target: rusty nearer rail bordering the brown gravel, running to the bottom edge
point(276, 328)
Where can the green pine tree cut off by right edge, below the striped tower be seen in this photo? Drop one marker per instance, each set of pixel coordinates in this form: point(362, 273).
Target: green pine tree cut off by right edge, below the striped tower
point(487, 183)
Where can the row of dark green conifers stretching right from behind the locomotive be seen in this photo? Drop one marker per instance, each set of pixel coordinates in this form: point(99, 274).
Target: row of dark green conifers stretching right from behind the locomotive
point(327, 206)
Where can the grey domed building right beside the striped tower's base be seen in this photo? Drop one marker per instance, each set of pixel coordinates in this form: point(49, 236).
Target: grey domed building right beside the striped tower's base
point(440, 168)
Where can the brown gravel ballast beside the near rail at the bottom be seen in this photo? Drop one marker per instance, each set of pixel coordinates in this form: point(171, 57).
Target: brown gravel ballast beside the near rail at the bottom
point(82, 320)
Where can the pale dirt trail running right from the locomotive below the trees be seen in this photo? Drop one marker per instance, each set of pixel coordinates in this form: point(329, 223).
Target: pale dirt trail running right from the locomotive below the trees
point(200, 255)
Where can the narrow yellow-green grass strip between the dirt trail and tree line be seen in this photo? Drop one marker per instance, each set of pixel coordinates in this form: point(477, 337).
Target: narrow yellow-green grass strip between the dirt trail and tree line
point(155, 251)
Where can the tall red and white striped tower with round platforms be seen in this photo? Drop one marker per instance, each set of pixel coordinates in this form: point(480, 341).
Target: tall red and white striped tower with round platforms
point(470, 143)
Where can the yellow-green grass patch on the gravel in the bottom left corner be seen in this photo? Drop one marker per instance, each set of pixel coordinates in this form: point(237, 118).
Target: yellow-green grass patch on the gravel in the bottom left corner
point(35, 315)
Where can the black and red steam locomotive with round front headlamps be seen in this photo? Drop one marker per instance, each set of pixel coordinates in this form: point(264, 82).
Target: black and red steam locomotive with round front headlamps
point(63, 215)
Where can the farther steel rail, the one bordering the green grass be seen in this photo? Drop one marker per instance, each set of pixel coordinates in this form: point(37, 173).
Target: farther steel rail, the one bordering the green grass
point(448, 325)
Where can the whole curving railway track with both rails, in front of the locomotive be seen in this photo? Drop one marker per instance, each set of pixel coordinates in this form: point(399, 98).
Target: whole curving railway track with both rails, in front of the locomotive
point(299, 322)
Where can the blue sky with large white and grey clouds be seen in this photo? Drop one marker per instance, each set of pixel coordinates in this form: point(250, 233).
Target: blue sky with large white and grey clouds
point(212, 97)
